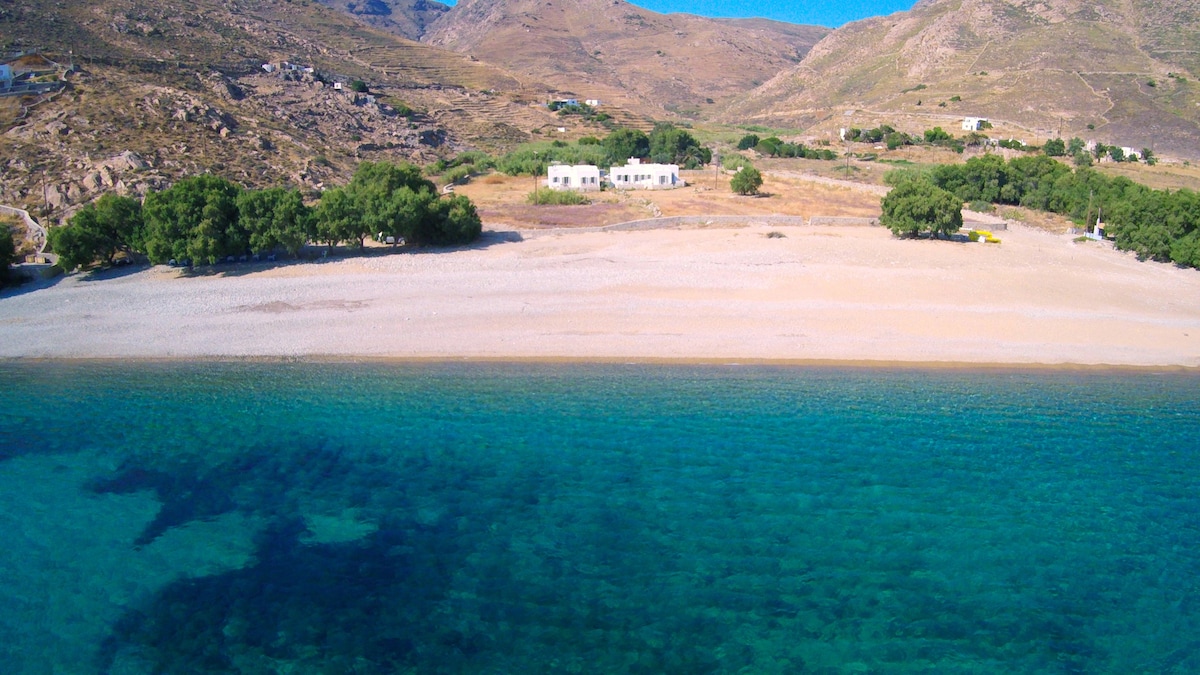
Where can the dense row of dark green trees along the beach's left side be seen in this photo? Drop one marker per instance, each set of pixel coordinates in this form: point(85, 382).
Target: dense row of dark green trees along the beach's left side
point(206, 219)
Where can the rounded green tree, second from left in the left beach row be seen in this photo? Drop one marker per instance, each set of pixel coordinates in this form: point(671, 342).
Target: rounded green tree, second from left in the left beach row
point(196, 219)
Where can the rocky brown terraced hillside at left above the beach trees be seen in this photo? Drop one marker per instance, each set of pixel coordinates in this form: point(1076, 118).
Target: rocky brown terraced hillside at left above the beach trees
point(155, 92)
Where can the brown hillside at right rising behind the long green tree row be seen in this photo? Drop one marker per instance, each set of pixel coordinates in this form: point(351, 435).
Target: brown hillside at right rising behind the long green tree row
point(1126, 68)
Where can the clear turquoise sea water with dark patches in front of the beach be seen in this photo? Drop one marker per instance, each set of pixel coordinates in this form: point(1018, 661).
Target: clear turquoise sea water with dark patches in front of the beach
point(323, 518)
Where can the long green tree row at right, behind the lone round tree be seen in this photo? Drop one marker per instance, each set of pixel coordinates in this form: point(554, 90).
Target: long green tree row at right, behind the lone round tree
point(1160, 225)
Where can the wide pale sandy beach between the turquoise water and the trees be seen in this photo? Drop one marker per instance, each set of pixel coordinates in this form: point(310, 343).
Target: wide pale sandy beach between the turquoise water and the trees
point(727, 295)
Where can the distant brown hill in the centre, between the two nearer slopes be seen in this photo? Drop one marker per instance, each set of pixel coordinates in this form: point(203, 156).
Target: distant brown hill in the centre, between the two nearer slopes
point(613, 51)
